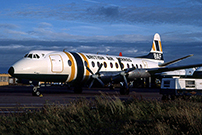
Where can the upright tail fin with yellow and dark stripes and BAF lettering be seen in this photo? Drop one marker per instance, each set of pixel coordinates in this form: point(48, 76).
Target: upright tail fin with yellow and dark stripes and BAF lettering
point(156, 52)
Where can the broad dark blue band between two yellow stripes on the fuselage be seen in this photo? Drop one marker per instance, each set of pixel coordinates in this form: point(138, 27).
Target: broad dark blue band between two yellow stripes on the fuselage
point(80, 67)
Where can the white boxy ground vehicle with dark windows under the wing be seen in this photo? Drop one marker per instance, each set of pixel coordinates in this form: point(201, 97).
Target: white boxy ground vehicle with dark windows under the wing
point(175, 87)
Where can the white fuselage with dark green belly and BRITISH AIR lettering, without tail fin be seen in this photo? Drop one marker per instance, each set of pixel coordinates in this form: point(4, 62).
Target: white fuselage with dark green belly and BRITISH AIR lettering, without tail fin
point(70, 66)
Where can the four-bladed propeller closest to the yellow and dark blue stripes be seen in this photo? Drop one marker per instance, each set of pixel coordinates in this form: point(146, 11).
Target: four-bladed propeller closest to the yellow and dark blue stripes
point(95, 76)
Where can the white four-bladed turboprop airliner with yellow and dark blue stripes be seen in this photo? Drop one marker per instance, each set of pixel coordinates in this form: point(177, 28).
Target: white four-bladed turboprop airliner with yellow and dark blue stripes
point(79, 69)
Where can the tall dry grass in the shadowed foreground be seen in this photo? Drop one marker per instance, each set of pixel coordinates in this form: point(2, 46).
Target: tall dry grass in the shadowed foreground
point(109, 115)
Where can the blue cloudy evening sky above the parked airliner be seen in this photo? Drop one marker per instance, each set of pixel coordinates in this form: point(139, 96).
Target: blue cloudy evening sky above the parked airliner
point(105, 26)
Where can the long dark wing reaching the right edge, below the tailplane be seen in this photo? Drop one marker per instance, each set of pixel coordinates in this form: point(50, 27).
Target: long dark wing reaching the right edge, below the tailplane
point(164, 69)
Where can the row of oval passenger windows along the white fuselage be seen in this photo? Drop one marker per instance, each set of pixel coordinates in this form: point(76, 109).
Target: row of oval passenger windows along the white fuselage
point(111, 65)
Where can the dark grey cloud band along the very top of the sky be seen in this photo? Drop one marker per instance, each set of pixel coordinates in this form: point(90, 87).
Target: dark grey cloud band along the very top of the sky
point(180, 12)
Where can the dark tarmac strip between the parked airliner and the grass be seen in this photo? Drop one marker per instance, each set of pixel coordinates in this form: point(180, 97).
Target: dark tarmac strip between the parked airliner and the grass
point(19, 98)
